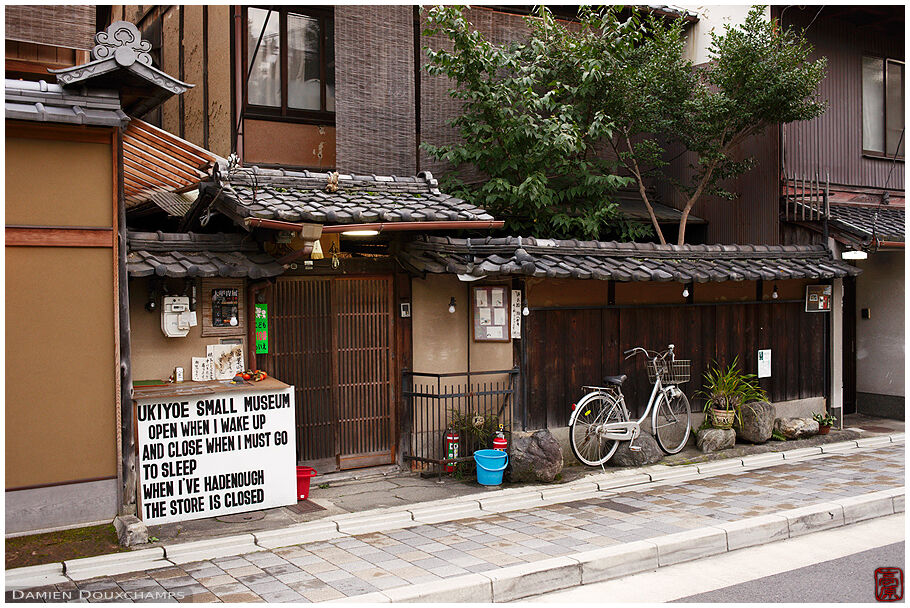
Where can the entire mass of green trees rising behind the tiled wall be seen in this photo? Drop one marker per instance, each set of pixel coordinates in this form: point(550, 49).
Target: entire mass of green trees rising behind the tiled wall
point(537, 115)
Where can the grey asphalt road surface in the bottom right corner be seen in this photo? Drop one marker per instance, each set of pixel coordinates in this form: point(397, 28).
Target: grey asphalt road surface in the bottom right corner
point(847, 579)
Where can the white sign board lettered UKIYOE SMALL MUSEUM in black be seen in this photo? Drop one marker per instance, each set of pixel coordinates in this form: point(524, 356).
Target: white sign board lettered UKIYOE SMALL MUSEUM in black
point(216, 454)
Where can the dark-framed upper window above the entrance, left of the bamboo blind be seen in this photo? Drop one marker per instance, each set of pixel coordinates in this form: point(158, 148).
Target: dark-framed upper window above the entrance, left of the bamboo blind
point(292, 75)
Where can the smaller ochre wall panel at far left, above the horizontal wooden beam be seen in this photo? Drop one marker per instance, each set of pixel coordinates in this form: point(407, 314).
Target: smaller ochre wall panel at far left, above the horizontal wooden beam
point(53, 200)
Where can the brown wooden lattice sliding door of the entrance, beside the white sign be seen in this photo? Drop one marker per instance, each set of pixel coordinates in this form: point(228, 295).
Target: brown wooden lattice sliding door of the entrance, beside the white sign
point(332, 340)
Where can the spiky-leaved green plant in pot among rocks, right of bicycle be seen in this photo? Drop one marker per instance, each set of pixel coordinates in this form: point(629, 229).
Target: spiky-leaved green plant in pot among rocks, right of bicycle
point(725, 390)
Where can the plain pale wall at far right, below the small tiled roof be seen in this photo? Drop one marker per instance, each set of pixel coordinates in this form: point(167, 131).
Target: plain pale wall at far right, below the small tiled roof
point(880, 339)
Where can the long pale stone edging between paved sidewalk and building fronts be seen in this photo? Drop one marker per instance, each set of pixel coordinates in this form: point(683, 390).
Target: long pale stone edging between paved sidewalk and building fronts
point(497, 501)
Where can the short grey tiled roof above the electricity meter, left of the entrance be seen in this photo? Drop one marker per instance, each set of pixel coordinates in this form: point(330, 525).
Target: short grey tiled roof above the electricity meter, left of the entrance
point(179, 255)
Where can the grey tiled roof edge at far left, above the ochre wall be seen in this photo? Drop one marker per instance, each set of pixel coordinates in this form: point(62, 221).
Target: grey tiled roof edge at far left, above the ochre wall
point(43, 102)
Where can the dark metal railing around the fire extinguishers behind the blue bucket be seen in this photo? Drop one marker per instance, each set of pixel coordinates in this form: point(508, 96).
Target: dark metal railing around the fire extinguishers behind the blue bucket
point(435, 403)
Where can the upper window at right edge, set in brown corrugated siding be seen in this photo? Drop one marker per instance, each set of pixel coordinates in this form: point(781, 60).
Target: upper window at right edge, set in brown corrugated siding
point(883, 106)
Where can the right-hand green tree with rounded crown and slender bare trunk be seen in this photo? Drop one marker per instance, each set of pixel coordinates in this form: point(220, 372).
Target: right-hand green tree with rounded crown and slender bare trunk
point(759, 75)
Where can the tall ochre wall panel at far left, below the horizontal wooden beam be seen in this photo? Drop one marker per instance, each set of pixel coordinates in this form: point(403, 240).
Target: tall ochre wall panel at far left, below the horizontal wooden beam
point(60, 407)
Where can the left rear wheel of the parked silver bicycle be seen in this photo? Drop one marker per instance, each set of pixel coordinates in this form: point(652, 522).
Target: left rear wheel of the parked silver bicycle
point(592, 411)
